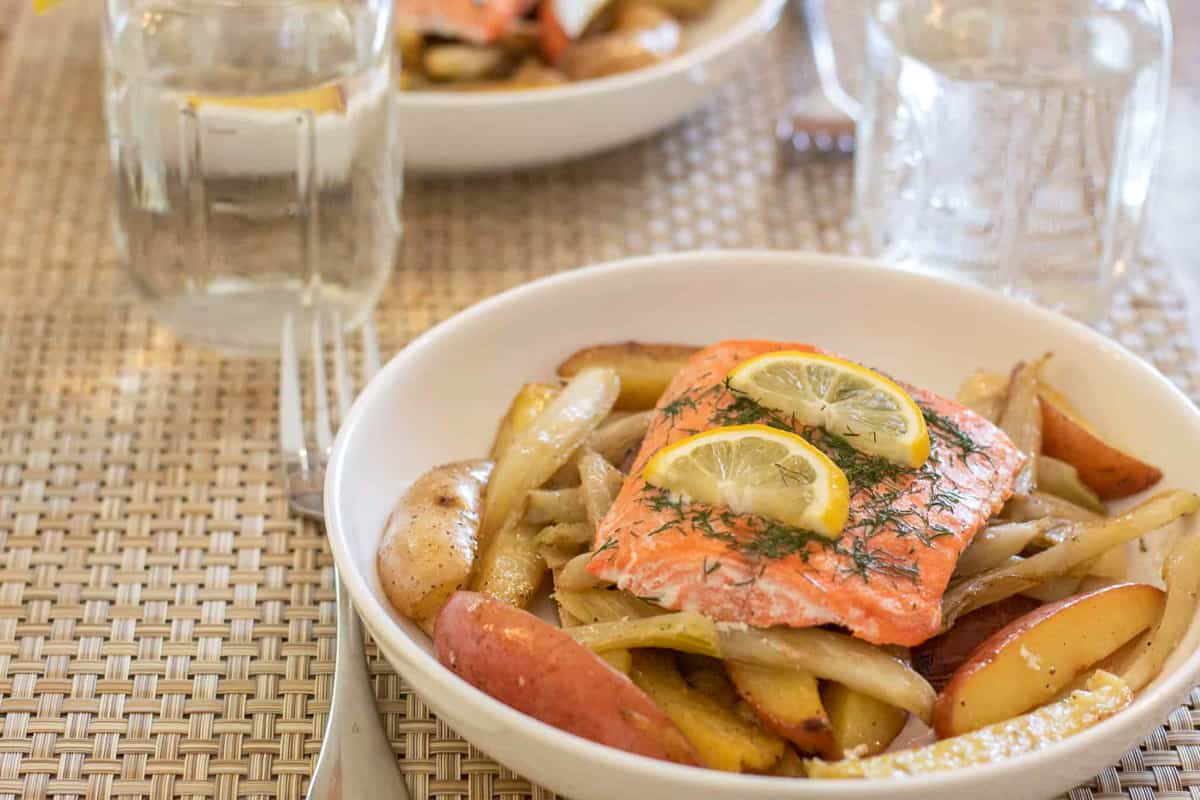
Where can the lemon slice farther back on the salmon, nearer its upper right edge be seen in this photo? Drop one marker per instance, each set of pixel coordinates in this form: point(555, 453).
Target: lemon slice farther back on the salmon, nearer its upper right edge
point(863, 407)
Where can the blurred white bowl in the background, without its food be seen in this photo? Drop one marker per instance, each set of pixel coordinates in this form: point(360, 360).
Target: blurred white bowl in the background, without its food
point(464, 133)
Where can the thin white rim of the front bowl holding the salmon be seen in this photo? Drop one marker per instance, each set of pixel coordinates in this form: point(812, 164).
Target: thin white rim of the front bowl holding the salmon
point(377, 618)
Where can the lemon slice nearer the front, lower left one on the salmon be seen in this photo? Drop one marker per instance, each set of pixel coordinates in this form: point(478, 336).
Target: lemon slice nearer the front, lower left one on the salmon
point(755, 470)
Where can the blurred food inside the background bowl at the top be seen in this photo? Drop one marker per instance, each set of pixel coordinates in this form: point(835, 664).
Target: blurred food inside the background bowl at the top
point(497, 45)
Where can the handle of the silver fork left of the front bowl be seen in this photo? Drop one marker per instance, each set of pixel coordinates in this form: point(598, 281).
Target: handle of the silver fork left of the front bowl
point(357, 760)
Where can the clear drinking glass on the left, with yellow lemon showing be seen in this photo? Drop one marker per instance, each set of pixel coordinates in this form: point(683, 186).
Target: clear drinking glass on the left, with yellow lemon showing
point(255, 159)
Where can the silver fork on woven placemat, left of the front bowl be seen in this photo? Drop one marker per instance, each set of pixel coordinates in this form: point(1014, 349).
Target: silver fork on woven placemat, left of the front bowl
point(356, 760)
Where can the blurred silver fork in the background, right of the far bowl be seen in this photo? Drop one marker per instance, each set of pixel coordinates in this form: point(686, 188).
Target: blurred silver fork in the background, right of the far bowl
point(821, 124)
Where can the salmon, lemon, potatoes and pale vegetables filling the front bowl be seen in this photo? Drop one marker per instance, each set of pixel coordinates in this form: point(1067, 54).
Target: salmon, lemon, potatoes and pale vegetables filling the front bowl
point(742, 569)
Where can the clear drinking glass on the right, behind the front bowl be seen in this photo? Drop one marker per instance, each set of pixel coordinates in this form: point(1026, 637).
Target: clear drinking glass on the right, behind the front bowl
point(1013, 142)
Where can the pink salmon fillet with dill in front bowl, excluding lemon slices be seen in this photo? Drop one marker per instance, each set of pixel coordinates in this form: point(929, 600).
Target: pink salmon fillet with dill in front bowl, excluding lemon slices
point(883, 580)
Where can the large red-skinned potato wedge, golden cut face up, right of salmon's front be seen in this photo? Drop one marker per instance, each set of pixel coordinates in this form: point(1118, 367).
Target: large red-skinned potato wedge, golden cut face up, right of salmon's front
point(1033, 659)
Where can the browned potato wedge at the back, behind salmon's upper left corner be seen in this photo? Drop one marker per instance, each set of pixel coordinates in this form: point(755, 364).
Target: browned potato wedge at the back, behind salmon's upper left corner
point(645, 369)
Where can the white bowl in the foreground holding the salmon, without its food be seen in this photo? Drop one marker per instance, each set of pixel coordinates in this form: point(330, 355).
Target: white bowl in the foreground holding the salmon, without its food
point(440, 401)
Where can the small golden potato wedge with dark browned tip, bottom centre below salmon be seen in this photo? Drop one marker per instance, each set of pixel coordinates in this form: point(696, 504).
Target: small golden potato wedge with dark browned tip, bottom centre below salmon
point(788, 702)
